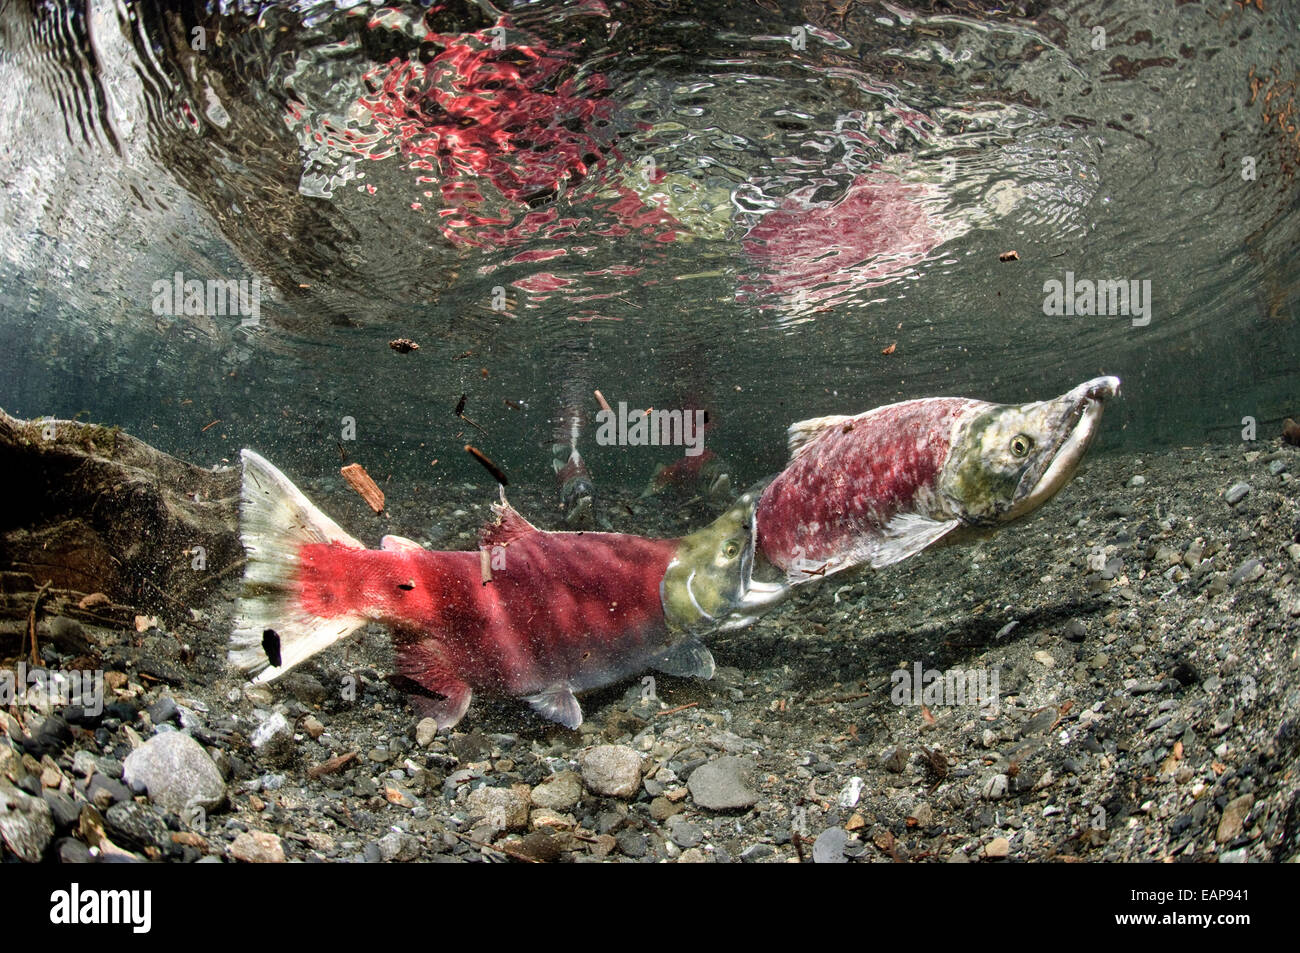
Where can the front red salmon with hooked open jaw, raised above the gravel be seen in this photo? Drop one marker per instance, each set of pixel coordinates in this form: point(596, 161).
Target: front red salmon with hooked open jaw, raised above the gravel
point(881, 487)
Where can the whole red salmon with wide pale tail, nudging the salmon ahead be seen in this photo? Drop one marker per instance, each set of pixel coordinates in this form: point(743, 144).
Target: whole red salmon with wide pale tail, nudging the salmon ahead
point(531, 614)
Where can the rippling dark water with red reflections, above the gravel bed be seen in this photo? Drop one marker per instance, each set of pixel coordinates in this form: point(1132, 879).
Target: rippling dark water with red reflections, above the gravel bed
point(739, 207)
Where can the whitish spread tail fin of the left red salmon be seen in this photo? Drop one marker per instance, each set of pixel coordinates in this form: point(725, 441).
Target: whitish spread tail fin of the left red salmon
point(272, 633)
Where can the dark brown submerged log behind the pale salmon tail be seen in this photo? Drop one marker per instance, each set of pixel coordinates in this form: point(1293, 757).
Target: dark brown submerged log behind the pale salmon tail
point(94, 510)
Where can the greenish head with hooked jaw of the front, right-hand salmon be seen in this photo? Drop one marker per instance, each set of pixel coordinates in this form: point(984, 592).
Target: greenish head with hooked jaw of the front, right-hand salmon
point(1009, 460)
